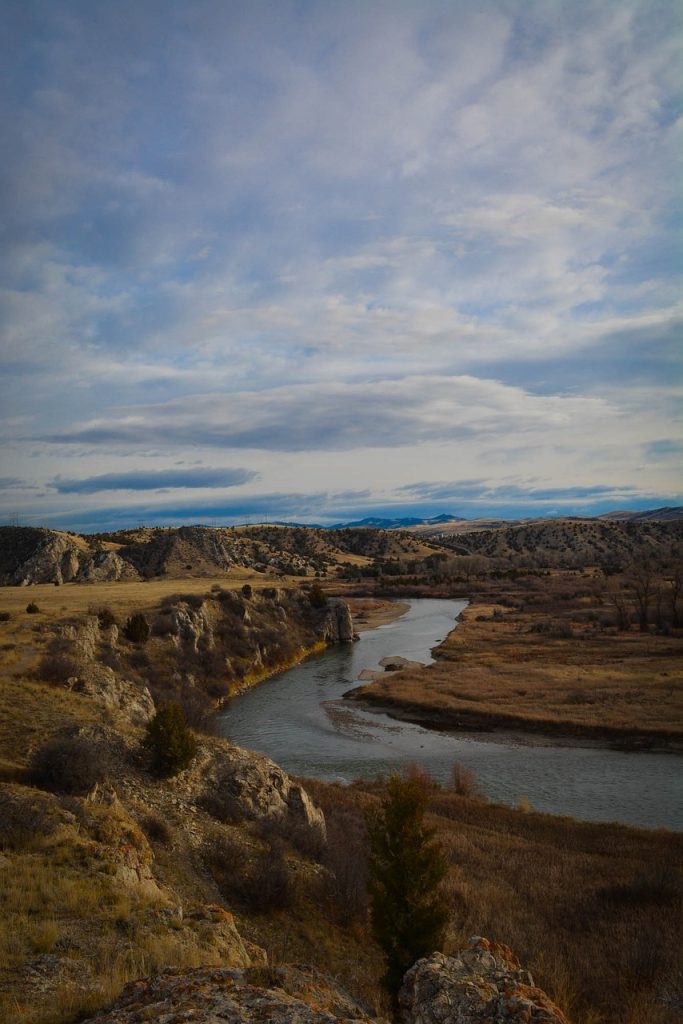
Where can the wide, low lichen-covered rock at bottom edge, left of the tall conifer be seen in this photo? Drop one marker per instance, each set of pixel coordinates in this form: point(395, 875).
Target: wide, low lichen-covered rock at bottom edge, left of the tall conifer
point(228, 997)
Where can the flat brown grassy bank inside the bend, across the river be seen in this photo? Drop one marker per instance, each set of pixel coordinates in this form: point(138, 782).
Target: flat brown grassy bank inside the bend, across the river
point(544, 669)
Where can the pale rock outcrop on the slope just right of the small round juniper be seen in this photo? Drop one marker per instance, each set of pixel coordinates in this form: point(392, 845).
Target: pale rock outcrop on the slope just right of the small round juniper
point(237, 784)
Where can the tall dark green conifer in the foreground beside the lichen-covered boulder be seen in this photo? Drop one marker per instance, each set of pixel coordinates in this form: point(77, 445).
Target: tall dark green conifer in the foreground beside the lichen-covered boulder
point(407, 869)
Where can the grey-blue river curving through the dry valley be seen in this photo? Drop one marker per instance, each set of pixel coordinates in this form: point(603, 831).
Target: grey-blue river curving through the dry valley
point(301, 721)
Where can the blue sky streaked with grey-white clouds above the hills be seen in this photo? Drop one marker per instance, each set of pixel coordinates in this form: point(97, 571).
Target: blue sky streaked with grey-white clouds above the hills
point(314, 261)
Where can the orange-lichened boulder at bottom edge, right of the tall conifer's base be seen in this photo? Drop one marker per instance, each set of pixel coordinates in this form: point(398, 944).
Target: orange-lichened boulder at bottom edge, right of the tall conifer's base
point(484, 985)
